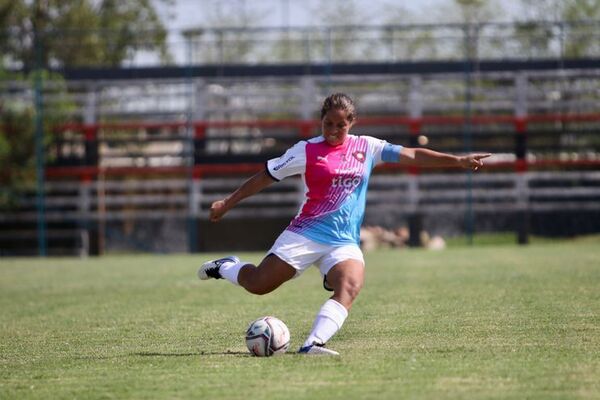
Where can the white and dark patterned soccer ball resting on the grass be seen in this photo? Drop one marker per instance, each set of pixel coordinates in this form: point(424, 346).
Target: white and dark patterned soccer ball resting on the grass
point(267, 336)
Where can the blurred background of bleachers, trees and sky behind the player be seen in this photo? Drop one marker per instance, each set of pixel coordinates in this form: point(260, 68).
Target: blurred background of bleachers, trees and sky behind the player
point(121, 122)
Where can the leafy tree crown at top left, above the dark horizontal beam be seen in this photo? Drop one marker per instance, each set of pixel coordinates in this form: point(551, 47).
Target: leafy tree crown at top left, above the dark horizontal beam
point(78, 32)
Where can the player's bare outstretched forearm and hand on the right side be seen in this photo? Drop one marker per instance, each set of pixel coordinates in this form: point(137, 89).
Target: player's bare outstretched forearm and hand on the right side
point(419, 157)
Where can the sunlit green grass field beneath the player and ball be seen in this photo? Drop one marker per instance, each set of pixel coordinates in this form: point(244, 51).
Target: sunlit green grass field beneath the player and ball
point(502, 322)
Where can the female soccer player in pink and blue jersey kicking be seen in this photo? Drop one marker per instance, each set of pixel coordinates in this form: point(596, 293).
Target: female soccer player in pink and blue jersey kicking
point(335, 168)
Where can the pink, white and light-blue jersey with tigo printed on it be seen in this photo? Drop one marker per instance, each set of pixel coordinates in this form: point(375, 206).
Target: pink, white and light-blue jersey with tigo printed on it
point(335, 180)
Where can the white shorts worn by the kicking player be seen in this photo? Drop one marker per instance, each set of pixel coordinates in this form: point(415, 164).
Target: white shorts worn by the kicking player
point(301, 252)
